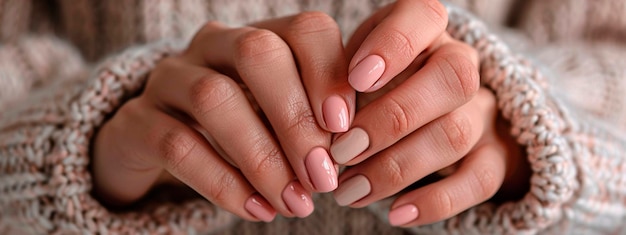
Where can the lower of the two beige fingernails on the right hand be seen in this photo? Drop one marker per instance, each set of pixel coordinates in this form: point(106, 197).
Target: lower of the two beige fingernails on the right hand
point(352, 190)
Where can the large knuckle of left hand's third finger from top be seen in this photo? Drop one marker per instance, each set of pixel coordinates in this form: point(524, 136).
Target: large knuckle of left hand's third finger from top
point(209, 94)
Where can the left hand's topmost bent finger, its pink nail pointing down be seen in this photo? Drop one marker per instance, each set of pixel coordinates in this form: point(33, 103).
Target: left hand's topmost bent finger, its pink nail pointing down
point(315, 40)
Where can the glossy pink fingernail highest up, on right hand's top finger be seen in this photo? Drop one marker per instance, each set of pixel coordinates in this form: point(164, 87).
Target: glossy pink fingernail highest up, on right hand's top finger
point(367, 72)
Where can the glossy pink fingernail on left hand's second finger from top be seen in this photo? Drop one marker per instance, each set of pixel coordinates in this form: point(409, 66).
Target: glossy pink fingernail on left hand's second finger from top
point(321, 170)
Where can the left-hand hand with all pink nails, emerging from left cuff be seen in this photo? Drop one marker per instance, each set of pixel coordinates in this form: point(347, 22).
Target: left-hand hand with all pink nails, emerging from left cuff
point(195, 122)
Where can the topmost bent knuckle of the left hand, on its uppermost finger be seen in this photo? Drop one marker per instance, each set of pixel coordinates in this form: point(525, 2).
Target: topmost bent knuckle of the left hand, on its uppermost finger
point(307, 23)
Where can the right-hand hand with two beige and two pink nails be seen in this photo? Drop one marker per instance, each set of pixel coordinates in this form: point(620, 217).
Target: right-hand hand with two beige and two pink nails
point(431, 116)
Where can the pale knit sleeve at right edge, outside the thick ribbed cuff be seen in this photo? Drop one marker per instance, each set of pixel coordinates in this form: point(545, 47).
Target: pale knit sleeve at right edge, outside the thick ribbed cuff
point(589, 81)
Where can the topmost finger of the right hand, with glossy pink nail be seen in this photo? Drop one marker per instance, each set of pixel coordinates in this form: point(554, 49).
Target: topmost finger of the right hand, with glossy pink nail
point(391, 39)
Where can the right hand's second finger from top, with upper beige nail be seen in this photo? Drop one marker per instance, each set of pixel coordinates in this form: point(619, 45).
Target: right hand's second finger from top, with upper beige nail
point(448, 80)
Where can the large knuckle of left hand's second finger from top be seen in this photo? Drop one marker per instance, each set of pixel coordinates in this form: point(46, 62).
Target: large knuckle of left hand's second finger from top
point(258, 46)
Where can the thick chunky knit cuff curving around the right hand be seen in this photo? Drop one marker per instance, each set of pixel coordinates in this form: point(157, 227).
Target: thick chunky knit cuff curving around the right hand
point(537, 123)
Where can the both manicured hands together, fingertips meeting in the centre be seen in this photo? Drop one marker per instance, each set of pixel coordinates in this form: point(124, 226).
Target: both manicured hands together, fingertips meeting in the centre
point(258, 118)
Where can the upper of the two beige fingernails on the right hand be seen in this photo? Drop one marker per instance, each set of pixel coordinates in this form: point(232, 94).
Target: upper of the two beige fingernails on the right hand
point(349, 145)
